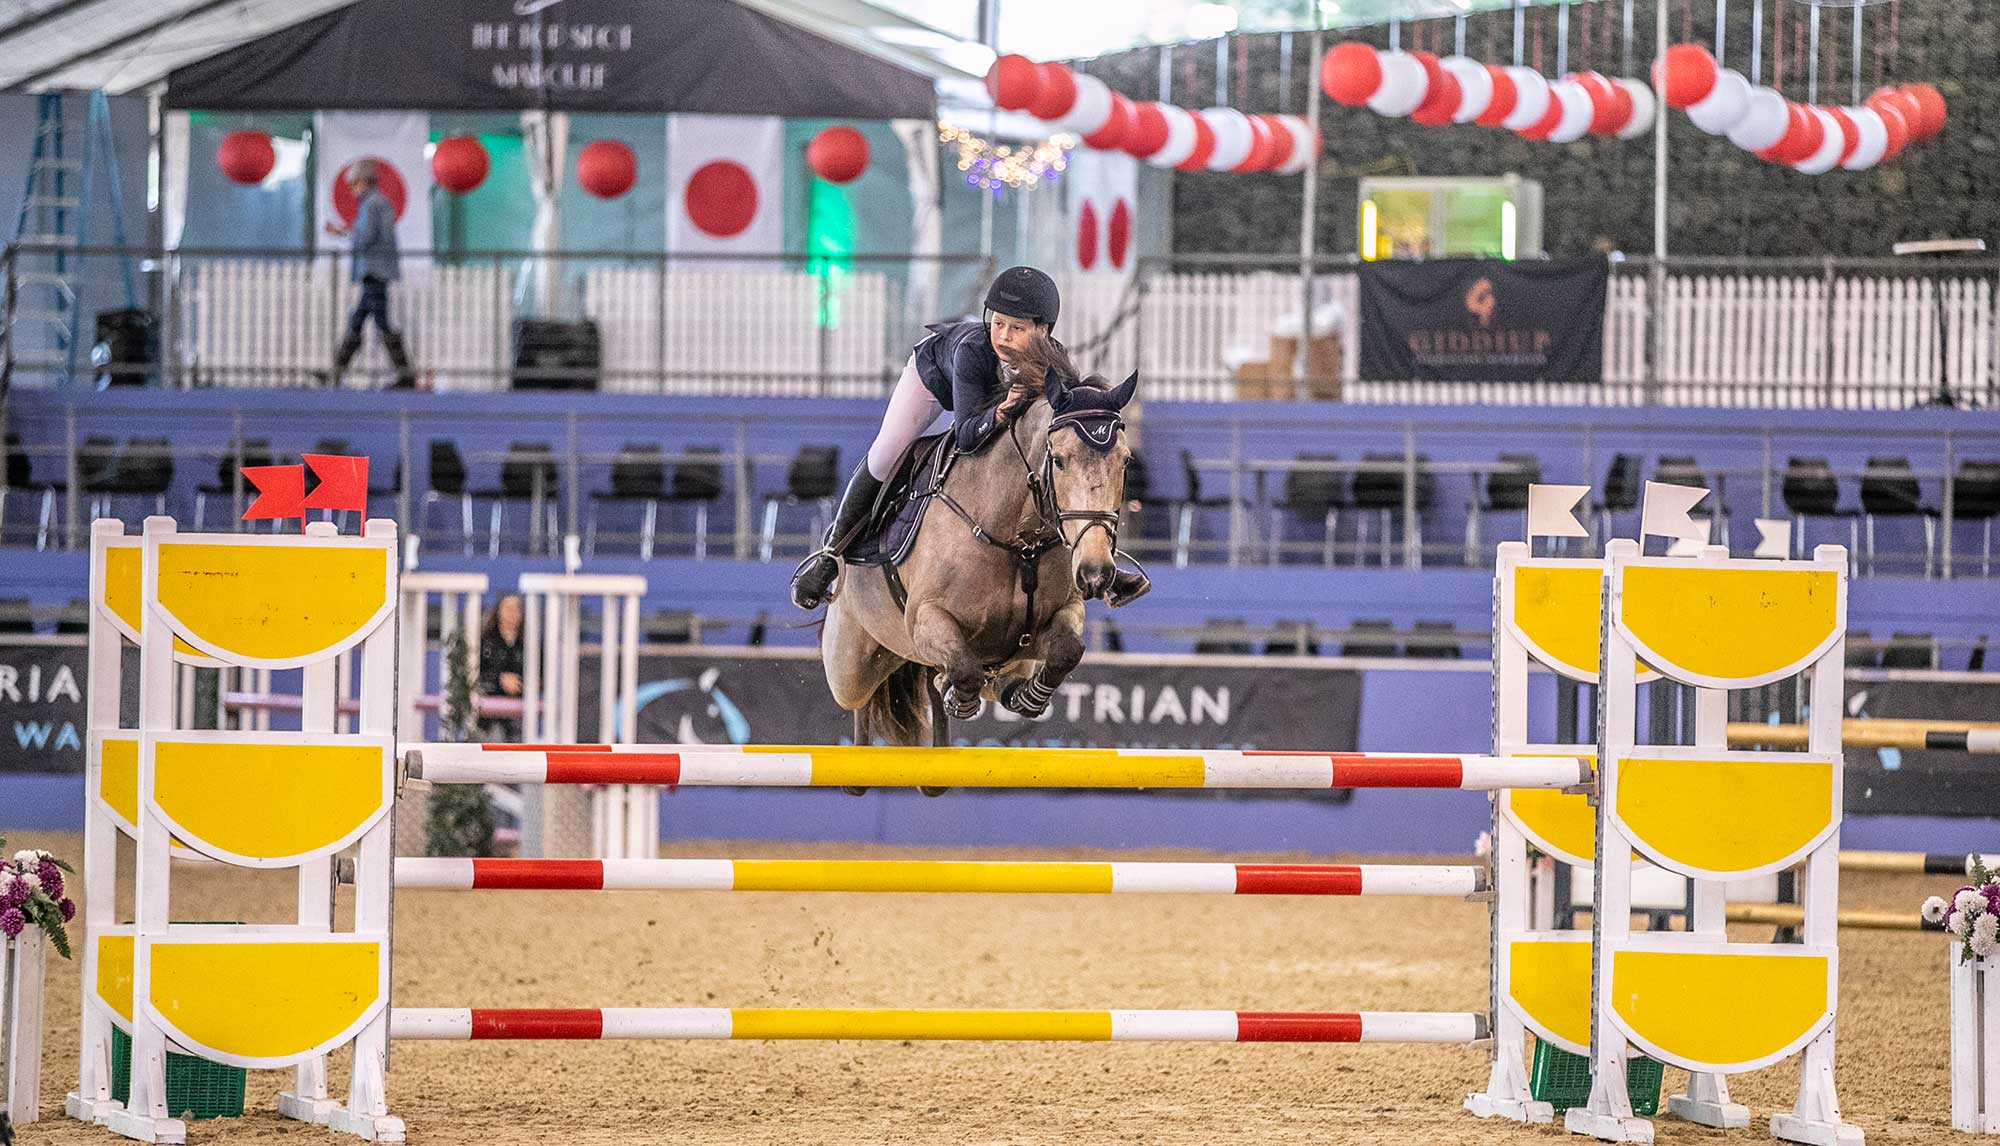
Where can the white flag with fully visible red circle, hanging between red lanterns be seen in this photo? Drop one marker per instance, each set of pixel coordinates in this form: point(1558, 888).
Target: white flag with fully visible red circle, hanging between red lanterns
point(725, 185)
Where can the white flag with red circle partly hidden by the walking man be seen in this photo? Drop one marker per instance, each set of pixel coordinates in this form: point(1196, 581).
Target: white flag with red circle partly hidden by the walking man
point(395, 141)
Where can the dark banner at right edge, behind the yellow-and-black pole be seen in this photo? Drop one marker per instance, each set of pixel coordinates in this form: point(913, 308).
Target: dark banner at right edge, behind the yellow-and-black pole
point(1909, 783)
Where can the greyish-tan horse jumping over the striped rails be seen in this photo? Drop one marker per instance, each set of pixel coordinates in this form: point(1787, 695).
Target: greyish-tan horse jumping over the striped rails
point(993, 591)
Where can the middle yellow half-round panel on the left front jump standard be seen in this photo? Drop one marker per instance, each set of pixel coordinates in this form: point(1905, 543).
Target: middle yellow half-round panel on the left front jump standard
point(269, 803)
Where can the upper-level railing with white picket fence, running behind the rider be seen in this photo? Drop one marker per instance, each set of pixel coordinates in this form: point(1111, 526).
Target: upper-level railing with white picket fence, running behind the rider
point(1735, 333)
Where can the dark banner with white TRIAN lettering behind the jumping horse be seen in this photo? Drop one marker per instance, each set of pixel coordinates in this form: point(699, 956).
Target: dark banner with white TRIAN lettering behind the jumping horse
point(693, 699)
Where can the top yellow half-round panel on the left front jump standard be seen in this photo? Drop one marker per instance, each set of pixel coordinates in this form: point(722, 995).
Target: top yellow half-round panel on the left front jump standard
point(273, 605)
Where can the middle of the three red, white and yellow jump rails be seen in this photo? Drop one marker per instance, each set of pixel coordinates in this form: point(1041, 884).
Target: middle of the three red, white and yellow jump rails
point(939, 877)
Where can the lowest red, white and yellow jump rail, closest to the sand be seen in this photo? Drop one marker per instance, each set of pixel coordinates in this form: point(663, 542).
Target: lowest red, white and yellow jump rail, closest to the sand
point(939, 1025)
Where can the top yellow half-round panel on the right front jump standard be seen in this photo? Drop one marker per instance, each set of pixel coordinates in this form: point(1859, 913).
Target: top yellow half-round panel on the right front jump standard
point(1731, 627)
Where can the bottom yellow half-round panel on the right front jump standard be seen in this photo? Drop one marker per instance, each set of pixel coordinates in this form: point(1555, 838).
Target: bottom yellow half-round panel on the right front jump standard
point(1721, 1011)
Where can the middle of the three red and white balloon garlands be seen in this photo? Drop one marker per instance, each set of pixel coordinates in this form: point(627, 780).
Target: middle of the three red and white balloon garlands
point(1463, 91)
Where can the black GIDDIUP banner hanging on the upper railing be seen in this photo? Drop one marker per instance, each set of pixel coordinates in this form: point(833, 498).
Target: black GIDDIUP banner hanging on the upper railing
point(1483, 321)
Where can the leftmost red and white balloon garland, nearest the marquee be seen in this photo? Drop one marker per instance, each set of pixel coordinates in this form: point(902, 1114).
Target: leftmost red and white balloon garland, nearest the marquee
point(1163, 135)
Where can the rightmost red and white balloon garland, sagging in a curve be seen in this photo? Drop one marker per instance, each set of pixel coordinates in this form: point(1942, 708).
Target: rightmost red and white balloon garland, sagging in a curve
point(1811, 139)
